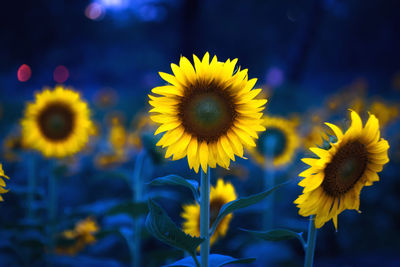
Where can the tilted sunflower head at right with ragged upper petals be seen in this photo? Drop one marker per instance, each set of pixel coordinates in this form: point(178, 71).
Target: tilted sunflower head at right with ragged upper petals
point(334, 180)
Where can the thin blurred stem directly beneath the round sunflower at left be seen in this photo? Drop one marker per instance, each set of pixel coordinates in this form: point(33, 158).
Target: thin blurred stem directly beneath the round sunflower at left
point(52, 206)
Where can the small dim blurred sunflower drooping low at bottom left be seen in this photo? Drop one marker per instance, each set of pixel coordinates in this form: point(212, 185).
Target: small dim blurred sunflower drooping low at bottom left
point(77, 239)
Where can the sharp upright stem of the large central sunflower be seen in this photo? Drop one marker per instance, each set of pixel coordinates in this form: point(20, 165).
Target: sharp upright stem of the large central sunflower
point(205, 216)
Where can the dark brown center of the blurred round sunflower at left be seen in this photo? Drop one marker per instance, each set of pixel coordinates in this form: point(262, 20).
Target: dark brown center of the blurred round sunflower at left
point(56, 121)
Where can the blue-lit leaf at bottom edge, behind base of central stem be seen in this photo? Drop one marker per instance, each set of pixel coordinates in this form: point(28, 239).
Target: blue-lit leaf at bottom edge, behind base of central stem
point(214, 260)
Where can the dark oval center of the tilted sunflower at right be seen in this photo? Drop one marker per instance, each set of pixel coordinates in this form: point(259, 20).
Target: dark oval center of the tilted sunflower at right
point(345, 169)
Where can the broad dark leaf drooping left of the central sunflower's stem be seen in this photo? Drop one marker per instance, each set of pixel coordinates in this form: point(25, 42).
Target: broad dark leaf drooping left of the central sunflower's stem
point(160, 225)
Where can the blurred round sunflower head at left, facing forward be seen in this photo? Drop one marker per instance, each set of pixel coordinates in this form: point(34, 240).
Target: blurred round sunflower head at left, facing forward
point(58, 122)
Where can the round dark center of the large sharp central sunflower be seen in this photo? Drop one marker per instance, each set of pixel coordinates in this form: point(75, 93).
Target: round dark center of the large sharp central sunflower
point(207, 110)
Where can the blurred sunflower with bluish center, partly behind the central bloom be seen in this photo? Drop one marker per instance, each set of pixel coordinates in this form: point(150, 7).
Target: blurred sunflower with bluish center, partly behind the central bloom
point(282, 135)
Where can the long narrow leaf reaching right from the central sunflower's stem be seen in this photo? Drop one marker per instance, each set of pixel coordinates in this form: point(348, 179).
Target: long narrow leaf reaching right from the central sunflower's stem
point(240, 204)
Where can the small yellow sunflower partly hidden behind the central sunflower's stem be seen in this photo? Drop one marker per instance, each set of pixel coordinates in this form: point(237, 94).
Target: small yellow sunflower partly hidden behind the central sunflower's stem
point(219, 196)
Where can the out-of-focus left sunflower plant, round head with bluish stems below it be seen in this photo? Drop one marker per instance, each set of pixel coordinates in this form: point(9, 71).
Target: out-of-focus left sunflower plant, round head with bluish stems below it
point(58, 125)
